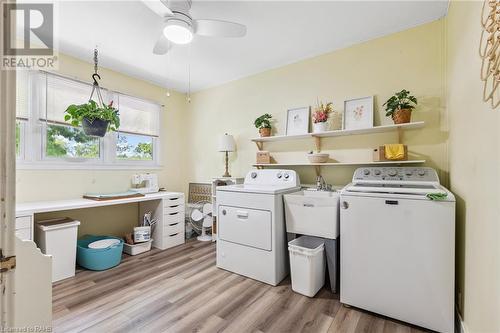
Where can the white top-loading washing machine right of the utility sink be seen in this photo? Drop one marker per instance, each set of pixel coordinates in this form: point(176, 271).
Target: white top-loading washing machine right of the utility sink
point(397, 246)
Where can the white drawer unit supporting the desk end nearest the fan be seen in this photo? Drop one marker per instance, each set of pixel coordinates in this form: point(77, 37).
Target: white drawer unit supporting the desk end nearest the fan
point(169, 231)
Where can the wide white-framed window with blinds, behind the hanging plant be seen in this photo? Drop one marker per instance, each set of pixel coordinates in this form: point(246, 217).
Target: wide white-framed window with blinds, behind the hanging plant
point(43, 137)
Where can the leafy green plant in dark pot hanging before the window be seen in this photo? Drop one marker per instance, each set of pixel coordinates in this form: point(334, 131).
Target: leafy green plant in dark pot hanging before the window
point(95, 119)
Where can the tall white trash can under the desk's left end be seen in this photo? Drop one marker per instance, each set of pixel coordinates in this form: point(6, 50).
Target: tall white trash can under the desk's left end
point(57, 238)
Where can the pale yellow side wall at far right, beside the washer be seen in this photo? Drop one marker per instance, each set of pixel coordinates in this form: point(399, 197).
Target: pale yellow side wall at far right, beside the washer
point(474, 172)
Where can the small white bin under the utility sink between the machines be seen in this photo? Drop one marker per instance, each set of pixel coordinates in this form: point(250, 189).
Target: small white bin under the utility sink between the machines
point(307, 264)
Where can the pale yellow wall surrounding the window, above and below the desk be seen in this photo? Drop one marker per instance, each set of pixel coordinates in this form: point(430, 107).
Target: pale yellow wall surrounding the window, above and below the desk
point(35, 185)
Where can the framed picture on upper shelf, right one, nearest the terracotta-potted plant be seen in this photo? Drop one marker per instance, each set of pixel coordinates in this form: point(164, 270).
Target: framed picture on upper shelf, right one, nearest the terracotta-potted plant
point(358, 113)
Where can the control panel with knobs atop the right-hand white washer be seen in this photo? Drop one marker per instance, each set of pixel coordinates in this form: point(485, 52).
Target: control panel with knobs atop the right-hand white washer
point(406, 174)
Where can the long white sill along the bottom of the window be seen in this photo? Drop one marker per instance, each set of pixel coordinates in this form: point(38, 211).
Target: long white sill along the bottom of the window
point(84, 166)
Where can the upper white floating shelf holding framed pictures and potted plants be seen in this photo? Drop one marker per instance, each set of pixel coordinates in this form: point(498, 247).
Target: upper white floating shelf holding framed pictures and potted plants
point(376, 129)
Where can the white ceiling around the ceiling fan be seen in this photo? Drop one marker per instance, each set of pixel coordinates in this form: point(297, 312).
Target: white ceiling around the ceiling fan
point(279, 33)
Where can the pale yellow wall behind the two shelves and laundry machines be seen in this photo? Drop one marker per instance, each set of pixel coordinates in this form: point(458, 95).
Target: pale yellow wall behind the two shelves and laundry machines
point(411, 59)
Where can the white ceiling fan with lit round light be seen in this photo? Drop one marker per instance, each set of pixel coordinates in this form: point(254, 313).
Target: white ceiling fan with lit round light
point(180, 27)
